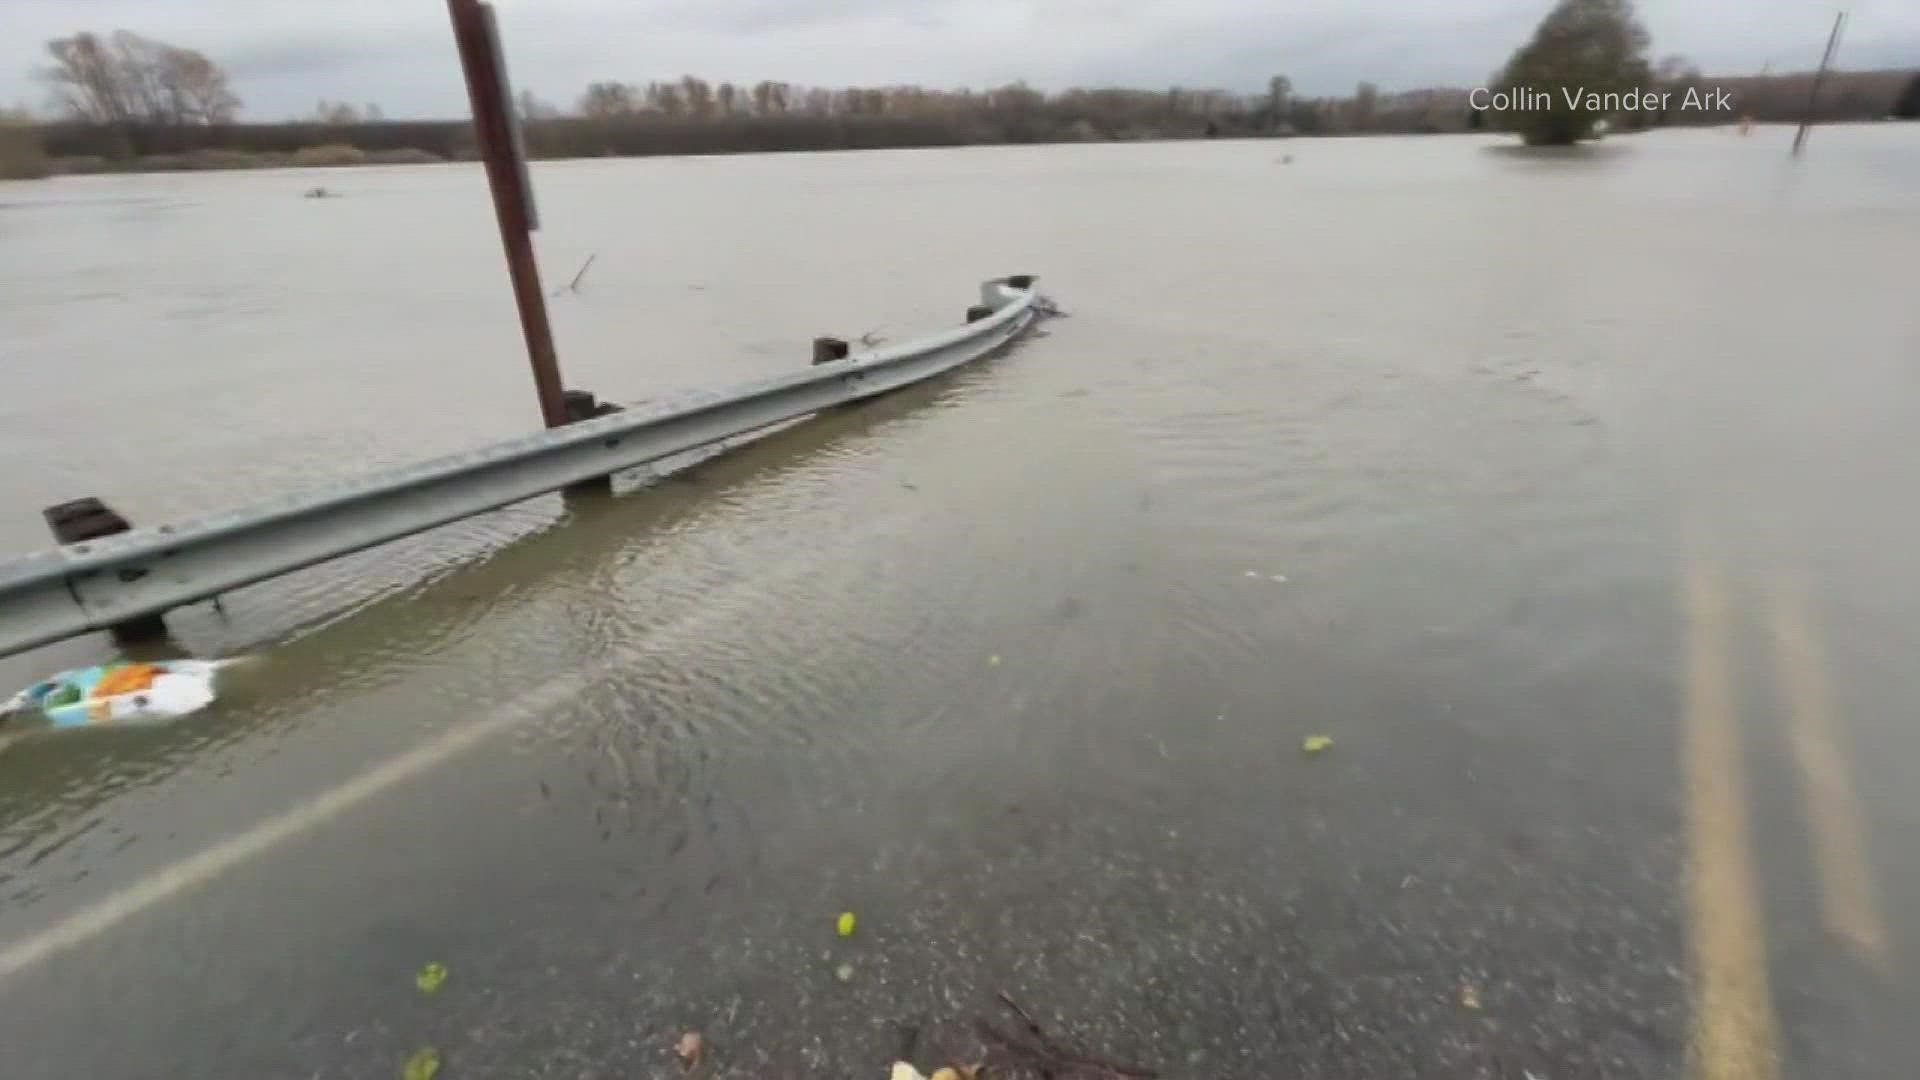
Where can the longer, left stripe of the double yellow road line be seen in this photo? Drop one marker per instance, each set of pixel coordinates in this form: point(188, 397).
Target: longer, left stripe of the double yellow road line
point(1735, 1033)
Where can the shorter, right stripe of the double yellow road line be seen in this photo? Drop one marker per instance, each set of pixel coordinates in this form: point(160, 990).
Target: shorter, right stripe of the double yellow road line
point(1819, 741)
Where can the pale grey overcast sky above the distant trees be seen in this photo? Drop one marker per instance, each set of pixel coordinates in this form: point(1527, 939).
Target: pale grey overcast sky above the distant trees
point(285, 55)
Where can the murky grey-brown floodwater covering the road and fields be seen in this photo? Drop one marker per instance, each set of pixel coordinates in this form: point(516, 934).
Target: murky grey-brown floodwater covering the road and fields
point(1572, 497)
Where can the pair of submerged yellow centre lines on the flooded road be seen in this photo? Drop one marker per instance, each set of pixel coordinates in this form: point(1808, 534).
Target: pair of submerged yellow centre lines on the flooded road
point(1735, 1027)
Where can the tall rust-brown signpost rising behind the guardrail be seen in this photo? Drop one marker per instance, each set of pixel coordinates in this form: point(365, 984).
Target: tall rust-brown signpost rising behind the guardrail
point(514, 201)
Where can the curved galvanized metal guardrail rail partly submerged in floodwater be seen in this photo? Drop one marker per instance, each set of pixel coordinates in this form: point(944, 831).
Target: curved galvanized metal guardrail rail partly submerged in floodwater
point(70, 591)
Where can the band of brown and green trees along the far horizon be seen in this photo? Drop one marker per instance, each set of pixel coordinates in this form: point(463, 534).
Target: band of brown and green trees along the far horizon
point(126, 97)
